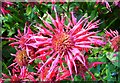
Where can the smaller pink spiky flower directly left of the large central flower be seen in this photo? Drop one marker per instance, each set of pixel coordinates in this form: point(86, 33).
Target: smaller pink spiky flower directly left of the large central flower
point(23, 39)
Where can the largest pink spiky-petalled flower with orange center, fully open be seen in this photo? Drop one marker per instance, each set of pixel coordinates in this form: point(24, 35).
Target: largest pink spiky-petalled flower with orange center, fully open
point(65, 42)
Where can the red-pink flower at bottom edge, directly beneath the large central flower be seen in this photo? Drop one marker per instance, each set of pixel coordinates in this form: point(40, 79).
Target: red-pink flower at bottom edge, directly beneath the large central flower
point(56, 75)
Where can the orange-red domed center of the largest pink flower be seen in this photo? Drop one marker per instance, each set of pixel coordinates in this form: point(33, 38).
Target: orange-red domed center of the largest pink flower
point(62, 42)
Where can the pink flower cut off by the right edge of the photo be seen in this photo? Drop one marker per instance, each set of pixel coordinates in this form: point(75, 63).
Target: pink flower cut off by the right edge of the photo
point(114, 38)
